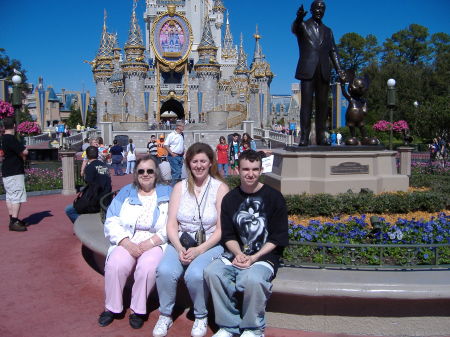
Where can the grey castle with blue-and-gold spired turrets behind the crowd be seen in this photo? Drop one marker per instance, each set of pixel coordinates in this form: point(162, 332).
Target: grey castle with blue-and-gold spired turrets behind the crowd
point(186, 66)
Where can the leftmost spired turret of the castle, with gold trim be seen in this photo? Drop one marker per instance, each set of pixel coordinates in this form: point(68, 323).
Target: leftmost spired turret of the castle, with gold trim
point(102, 68)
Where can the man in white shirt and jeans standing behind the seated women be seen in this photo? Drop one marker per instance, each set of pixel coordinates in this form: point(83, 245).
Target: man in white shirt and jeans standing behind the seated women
point(174, 145)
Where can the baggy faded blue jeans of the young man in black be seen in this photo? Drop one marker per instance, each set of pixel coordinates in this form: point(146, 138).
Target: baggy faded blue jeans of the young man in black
point(224, 281)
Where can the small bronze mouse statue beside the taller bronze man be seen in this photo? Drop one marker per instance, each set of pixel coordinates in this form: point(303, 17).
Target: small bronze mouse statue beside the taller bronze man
point(357, 110)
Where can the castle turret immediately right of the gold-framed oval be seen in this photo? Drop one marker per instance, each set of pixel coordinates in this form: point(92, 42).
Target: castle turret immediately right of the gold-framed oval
point(208, 71)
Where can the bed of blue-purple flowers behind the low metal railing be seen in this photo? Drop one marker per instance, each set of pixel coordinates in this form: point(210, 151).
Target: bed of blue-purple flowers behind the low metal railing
point(353, 243)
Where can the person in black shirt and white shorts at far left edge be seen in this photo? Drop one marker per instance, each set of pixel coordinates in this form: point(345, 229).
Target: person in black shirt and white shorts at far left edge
point(13, 174)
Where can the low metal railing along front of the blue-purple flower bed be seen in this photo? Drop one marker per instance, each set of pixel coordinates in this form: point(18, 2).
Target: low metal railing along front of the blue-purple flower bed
point(367, 256)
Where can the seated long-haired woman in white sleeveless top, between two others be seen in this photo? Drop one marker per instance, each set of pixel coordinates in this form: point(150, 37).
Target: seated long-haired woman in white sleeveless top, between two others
point(193, 229)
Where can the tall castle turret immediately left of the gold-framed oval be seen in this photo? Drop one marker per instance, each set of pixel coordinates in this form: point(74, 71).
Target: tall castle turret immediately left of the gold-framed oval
point(134, 70)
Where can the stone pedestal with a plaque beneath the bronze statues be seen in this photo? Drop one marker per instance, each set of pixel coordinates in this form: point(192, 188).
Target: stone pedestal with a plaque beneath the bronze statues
point(324, 169)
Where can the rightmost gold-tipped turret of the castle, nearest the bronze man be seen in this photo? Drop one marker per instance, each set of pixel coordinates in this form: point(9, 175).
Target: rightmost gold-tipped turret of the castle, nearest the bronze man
point(260, 78)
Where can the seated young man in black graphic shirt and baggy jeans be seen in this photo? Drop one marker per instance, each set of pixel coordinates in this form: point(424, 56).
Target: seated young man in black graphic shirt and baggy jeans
point(254, 231)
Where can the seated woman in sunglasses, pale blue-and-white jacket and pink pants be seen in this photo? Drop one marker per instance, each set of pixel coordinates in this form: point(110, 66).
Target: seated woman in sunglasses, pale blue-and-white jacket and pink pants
point(136, 229)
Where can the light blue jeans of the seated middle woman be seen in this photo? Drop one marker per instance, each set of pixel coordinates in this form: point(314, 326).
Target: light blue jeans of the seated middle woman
point(169, 272)
